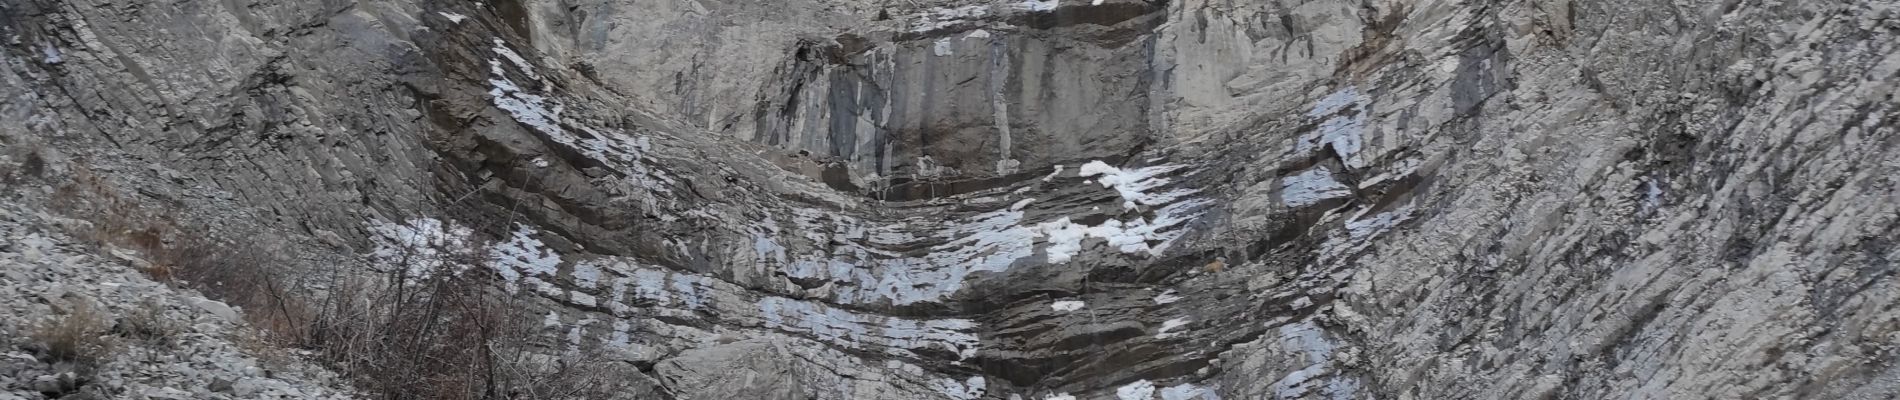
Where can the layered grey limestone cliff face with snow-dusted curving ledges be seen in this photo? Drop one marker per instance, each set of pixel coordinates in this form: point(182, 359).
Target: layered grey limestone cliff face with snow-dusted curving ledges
point(1052, 200)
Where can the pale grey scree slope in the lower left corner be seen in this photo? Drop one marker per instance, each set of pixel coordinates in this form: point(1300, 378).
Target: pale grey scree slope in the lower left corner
point(199, 357)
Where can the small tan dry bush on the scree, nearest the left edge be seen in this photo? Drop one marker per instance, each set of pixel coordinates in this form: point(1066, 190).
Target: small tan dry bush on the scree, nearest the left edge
point(79, 336)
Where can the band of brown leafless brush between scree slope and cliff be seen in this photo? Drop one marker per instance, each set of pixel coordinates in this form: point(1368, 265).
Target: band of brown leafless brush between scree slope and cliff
point(402, 336)
